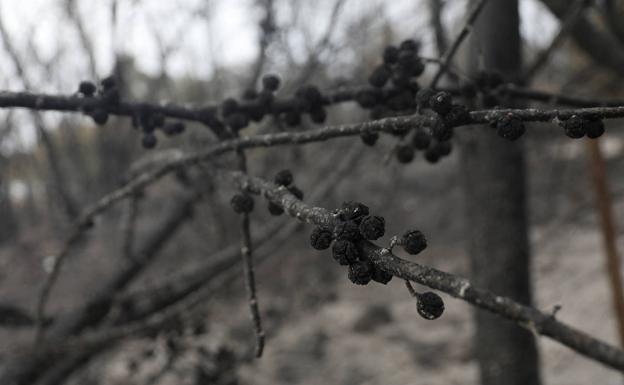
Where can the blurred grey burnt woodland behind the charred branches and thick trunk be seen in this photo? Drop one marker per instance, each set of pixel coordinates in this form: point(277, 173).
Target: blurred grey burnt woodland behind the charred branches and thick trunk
point(184, 236)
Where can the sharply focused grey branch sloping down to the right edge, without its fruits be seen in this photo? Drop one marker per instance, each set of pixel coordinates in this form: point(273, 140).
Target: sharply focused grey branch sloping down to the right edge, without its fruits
point(524, 316)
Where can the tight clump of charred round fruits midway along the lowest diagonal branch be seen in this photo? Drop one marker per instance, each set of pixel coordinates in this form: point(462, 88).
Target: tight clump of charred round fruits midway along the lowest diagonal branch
point(352, 227)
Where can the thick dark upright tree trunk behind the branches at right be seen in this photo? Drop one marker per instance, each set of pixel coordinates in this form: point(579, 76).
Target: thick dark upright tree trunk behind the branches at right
point(496, 208)
